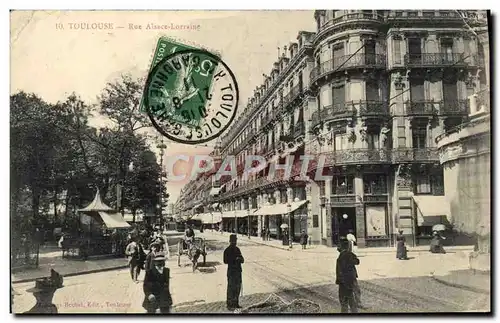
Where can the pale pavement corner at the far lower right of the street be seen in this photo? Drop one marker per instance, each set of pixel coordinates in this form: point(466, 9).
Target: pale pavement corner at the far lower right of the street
point(475, 281)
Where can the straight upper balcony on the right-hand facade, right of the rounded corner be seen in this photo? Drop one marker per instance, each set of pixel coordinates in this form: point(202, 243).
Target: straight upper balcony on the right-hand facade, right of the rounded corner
point(436, 60)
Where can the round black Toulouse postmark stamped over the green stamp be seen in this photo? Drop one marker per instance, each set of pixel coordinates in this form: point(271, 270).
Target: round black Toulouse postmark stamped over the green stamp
point(191, 96)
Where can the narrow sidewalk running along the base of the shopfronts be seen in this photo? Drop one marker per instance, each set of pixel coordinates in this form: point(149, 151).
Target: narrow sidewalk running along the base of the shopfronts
point(322, 248)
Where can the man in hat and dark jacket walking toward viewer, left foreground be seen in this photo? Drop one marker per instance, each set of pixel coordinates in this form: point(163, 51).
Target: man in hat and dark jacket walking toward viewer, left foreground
point(156, 287)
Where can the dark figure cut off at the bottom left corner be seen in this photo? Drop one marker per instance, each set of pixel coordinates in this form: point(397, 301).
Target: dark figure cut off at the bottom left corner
point(44, 293)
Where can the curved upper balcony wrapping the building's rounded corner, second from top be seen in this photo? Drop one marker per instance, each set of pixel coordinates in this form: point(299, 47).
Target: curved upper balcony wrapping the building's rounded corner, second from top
point(342, 63)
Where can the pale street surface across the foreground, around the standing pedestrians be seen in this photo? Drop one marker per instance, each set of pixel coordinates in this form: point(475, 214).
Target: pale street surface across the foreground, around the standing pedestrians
point(387, 285)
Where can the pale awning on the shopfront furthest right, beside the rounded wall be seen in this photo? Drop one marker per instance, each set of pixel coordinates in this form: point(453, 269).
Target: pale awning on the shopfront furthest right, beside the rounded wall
point(432, 210)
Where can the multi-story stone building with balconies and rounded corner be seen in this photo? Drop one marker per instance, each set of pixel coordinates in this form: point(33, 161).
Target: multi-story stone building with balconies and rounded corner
point(369, 91)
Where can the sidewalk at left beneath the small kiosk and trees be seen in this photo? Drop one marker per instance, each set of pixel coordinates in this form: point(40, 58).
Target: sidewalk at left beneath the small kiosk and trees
point(51, 258)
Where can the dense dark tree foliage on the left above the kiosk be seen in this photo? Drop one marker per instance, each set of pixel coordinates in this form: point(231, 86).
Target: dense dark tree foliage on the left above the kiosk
point(58, 158)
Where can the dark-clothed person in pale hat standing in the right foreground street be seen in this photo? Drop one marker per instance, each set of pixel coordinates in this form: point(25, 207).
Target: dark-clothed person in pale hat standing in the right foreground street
point(347, 278)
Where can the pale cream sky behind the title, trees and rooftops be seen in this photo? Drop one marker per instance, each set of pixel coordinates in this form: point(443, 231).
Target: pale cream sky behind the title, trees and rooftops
point(52, 59)
